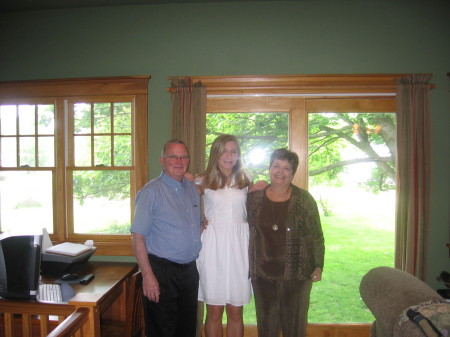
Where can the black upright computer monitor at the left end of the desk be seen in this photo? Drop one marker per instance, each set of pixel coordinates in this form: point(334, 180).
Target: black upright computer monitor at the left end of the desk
point(20, 263)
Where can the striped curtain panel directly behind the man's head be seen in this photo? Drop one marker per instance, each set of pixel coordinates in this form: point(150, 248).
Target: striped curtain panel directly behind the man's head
point(188, 119)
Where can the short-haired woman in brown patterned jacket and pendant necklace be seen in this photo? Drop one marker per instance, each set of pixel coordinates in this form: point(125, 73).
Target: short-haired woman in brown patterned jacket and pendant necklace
point(286, 249)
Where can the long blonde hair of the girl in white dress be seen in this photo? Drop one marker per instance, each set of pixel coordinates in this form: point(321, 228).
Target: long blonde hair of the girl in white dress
point(213, 178)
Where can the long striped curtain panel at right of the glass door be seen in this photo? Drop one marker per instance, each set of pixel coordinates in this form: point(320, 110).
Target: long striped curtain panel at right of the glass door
point(414, 174)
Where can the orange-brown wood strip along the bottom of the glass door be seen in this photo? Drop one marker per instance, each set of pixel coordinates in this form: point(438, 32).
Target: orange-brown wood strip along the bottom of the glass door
point(322, 330)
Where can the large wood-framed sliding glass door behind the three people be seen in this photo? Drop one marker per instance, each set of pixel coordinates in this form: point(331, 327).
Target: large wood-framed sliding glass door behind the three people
point(347, 146)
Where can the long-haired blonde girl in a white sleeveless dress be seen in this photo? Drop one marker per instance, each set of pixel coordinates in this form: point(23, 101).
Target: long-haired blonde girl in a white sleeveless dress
point(223, 261)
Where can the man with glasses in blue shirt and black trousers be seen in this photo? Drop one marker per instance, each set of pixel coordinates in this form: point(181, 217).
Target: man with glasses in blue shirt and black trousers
point(166, 242)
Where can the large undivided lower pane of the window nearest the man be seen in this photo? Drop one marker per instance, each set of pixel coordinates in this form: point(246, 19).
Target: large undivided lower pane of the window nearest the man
point(101, 202)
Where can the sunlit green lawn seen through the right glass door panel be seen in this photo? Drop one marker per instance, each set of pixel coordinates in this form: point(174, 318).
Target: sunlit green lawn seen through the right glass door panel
point(352, 249)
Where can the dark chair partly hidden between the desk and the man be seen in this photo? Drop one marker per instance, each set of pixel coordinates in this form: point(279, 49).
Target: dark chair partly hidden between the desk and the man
point(133, 326)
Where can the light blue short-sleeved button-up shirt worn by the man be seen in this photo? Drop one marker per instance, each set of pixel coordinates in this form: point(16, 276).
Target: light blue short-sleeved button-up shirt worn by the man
point(168, 214)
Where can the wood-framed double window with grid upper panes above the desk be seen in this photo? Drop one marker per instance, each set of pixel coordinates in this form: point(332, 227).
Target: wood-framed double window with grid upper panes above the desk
point(69, 159)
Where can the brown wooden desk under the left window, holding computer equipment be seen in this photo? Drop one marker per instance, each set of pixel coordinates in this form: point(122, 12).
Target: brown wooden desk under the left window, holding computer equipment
point(104, 296)
